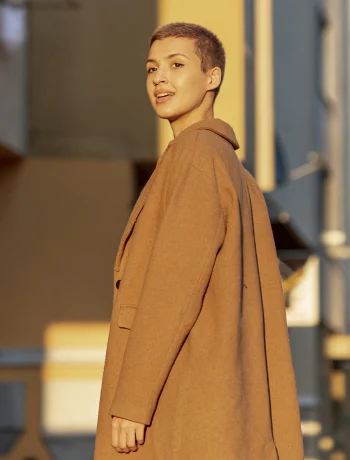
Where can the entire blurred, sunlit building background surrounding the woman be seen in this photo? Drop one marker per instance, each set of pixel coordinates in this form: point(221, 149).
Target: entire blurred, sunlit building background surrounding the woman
point(78, 140)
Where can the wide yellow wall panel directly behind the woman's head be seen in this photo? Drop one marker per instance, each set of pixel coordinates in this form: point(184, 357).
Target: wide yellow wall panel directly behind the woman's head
point(225, 19)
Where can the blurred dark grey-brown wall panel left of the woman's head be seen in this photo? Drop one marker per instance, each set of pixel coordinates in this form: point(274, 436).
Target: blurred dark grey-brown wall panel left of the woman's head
point(86, 86)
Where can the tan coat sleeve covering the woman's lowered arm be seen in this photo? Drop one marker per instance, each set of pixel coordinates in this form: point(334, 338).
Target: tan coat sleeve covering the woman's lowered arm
point(190, 234)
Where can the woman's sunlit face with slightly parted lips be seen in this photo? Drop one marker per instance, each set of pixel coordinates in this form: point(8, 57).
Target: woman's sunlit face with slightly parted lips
point(176, 85)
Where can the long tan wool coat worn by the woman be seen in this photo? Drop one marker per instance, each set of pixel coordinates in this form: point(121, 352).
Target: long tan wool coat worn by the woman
point(198, 347)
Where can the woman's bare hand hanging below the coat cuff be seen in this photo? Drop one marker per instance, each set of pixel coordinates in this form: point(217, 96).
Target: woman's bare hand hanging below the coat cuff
point(127, 435)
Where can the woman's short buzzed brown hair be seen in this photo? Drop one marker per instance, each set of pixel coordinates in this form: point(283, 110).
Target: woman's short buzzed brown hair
point(208, 47)
